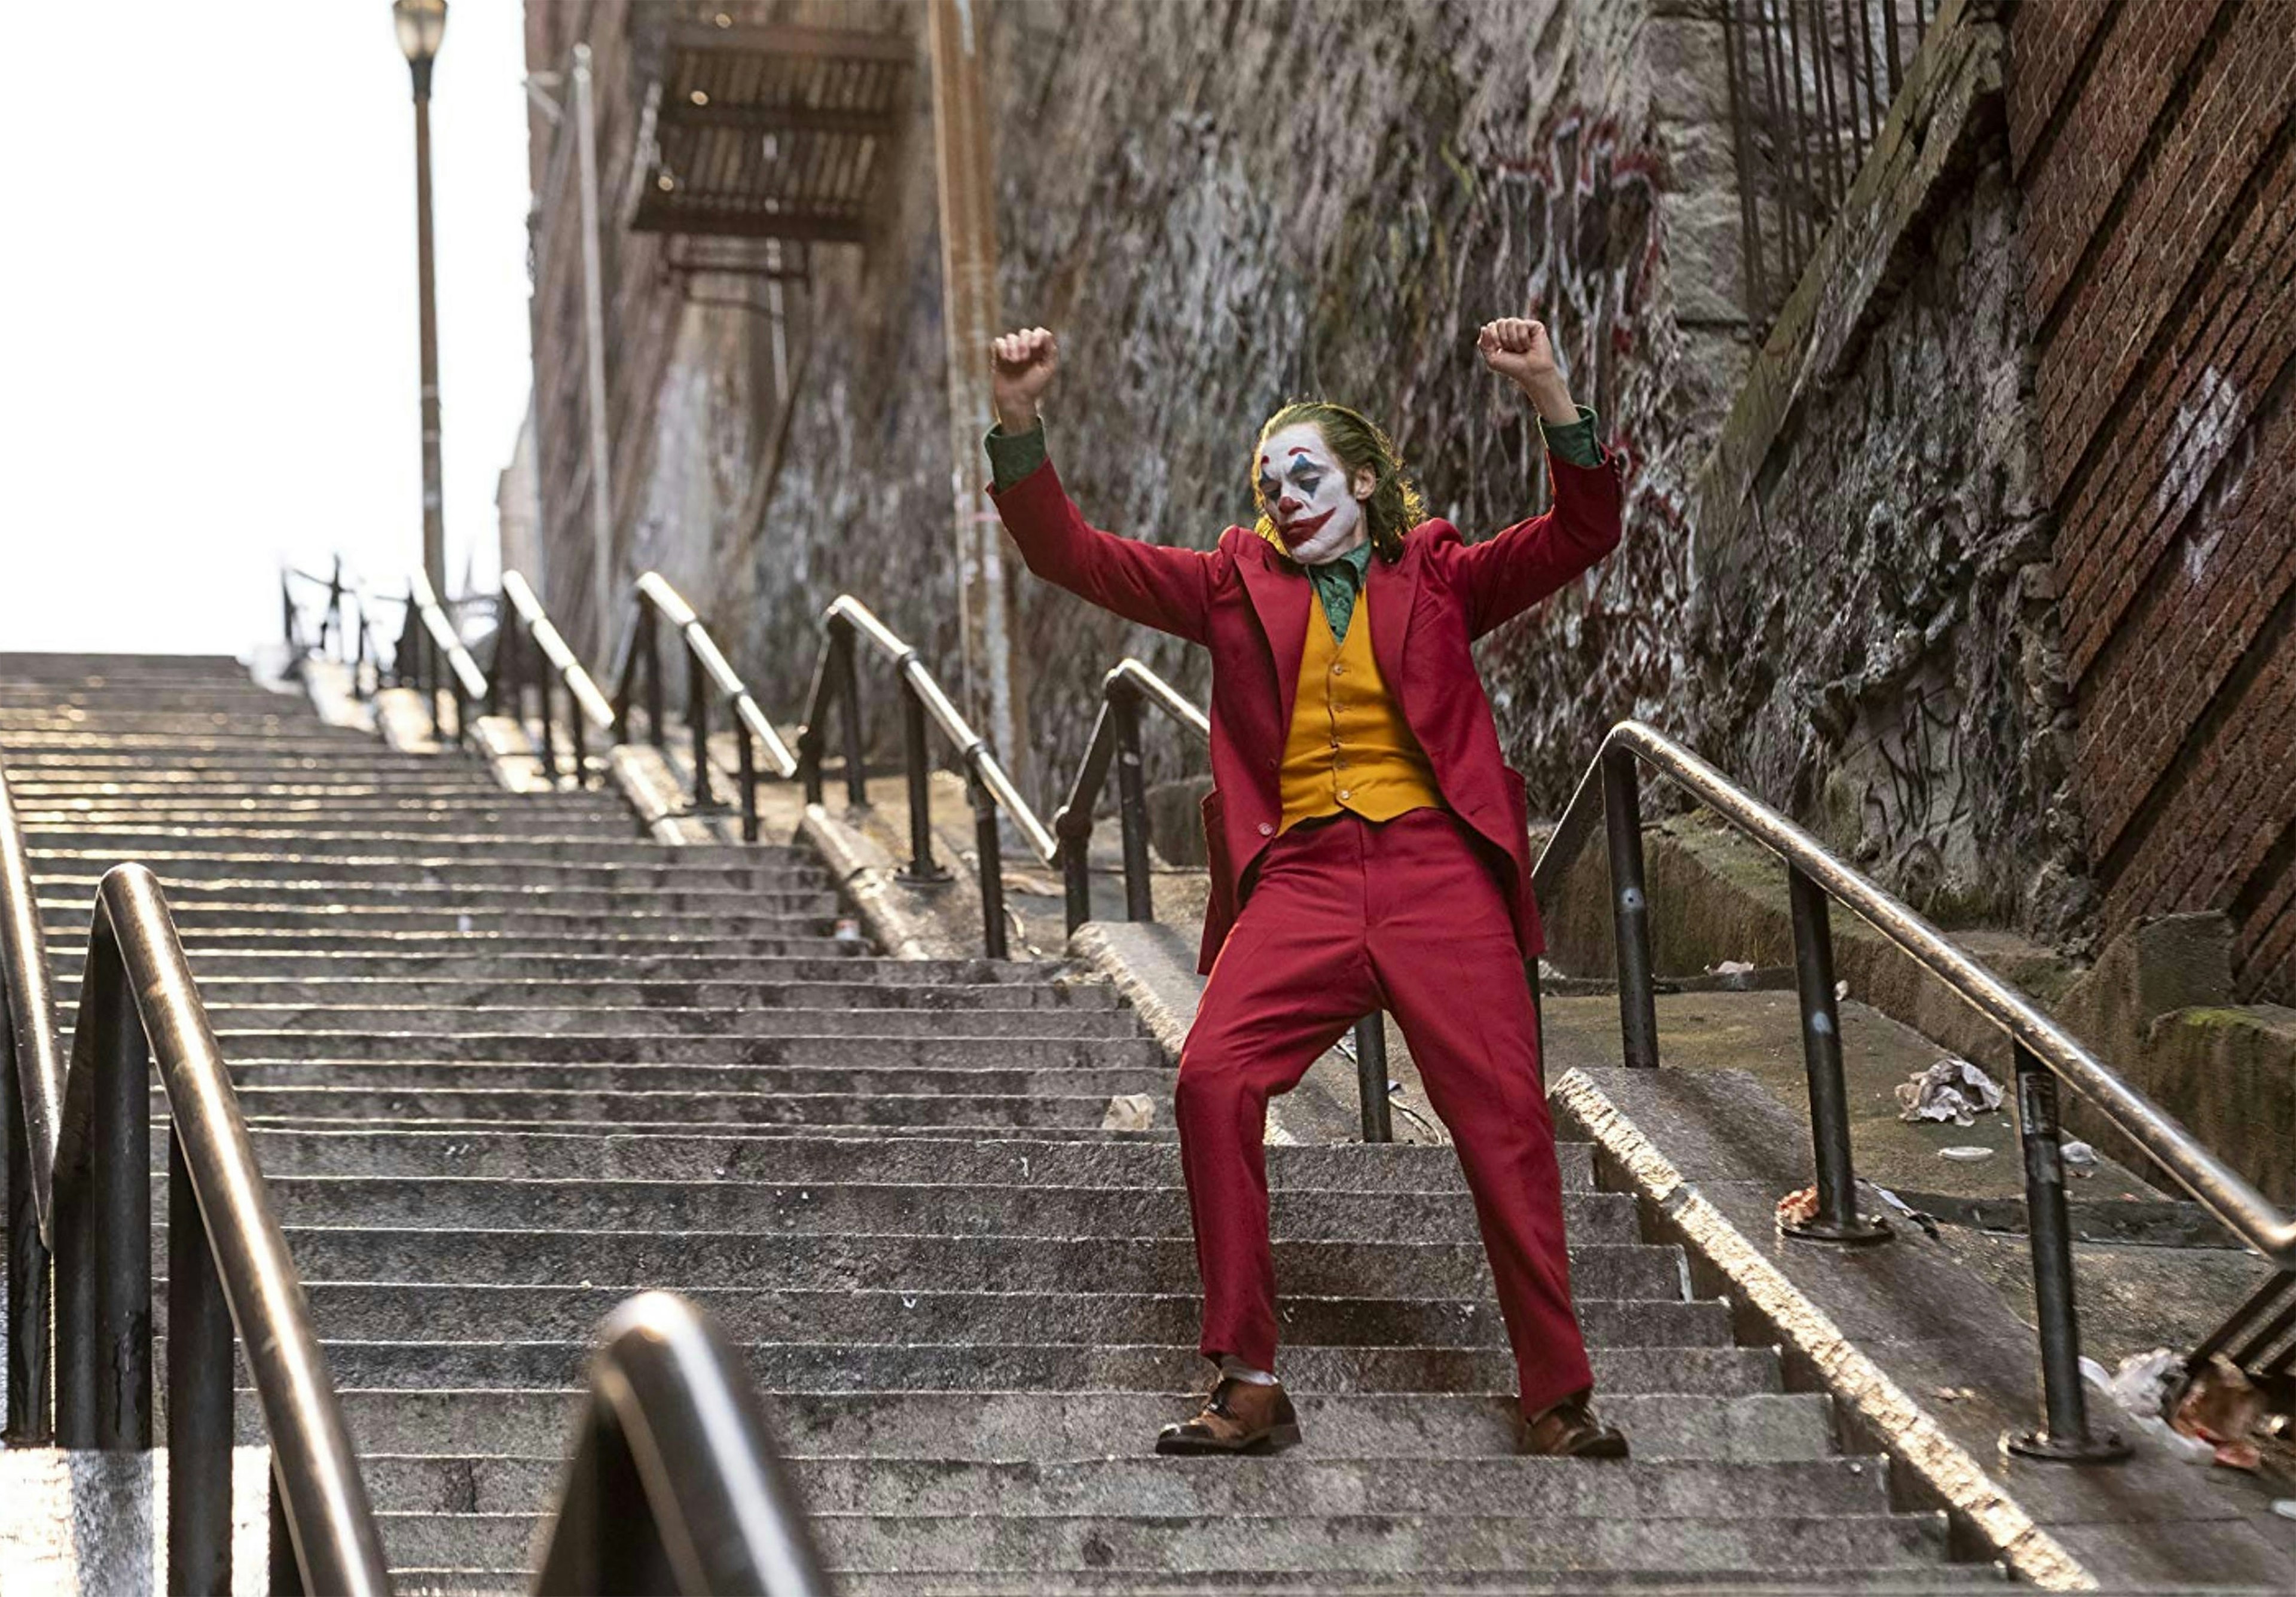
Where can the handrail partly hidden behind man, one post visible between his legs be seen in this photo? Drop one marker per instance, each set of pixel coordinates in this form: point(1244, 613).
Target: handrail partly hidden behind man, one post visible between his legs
point(1117, 745)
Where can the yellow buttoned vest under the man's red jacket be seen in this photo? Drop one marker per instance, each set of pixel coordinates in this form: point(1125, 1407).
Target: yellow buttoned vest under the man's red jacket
point(1349, 747)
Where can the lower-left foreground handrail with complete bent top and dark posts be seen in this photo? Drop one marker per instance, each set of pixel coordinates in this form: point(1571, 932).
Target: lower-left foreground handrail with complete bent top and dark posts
point(228, 1268)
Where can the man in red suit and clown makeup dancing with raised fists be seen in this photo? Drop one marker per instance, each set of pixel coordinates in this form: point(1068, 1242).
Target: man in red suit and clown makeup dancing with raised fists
point(1370, 846)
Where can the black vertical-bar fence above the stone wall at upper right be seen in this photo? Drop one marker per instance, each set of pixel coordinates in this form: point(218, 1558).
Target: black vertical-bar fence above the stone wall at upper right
point(1810, 86)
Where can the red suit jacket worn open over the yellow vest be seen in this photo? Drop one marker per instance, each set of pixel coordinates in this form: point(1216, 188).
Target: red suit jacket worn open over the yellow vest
point(1250, 607)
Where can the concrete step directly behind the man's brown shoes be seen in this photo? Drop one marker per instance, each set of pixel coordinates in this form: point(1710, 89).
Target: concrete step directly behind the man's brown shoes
point(1025, 1426)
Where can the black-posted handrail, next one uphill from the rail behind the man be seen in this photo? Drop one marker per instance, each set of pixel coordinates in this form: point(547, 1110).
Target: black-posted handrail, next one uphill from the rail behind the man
point(837, 685)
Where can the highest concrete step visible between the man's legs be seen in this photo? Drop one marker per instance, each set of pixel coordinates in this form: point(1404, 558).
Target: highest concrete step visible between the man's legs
point(699, 1155)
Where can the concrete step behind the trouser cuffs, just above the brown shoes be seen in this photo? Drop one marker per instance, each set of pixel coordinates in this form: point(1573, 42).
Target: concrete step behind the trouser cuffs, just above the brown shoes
point(1060, 1369)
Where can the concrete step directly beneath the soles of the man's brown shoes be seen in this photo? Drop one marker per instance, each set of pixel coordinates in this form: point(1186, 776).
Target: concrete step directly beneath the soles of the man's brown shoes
point(1248, 1486)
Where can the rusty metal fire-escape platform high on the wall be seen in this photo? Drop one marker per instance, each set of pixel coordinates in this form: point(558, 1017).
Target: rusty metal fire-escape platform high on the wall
point(768, 132)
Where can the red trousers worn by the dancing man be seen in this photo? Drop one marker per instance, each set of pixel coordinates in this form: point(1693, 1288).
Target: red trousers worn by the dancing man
point(1349, 917)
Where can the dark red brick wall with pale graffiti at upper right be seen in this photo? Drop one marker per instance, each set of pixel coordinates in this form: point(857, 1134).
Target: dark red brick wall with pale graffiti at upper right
point(2155, 143)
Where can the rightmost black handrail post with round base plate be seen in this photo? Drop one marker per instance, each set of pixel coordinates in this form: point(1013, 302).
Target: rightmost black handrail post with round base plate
point(2065, 1433)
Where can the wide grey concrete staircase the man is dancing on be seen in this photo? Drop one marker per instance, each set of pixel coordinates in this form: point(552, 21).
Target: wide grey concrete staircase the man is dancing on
point(509, 1064)
